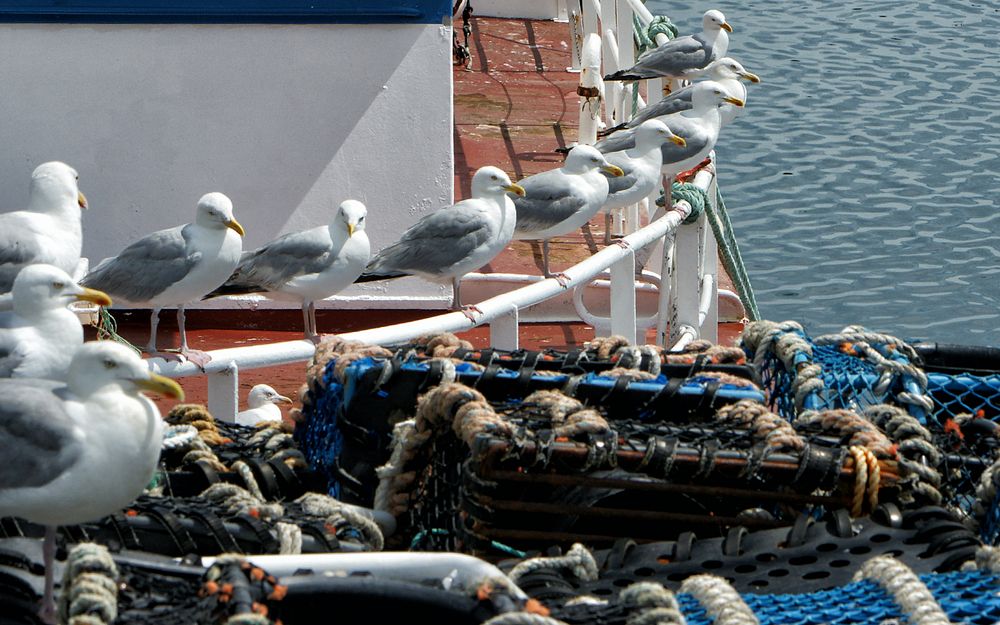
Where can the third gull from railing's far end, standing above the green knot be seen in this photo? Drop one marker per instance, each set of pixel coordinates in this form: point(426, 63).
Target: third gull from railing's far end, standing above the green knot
point(699, 128)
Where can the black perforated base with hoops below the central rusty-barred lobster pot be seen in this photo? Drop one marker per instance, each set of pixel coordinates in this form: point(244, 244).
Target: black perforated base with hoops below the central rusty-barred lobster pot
point(810, 555)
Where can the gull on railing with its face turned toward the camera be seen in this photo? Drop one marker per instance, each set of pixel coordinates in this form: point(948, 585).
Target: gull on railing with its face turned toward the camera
point(307, 266)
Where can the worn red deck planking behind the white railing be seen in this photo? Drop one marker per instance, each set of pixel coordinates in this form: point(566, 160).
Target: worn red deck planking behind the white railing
point(513, 107)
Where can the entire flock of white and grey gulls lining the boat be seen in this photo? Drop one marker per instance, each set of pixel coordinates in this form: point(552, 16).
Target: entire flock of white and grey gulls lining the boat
point(82, 438)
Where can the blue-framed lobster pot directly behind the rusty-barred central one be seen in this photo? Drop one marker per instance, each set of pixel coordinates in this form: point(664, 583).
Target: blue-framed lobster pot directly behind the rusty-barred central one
point(354, 399)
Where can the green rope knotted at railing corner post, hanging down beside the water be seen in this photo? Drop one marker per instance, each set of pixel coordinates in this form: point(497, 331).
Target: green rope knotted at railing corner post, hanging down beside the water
point(722, 228)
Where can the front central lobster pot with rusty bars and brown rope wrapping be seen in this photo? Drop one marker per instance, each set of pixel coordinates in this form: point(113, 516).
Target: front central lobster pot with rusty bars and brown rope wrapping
point(530, 484)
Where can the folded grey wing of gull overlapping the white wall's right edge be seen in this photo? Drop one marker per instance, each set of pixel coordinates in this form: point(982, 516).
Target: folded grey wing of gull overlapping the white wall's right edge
point(434, 243)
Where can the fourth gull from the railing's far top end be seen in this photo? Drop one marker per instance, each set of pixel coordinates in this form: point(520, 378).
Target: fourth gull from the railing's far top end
point(641, 166)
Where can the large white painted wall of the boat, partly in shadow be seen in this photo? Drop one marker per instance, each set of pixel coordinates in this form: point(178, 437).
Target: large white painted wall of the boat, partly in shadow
point(288, 120)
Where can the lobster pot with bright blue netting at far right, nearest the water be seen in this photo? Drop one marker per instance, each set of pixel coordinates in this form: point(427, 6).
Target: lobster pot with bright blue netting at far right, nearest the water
point(953, 391)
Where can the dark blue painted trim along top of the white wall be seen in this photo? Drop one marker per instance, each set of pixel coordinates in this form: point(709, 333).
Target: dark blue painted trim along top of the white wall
point(226, 11)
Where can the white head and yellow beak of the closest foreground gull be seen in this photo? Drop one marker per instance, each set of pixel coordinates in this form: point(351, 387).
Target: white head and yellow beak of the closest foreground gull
point(101, 365)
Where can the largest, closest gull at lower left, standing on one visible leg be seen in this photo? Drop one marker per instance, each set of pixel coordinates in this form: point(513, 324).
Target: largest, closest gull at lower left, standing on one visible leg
point(74, 453)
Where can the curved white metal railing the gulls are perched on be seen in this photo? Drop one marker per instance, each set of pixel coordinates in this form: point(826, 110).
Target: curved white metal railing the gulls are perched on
point(686, 262)
